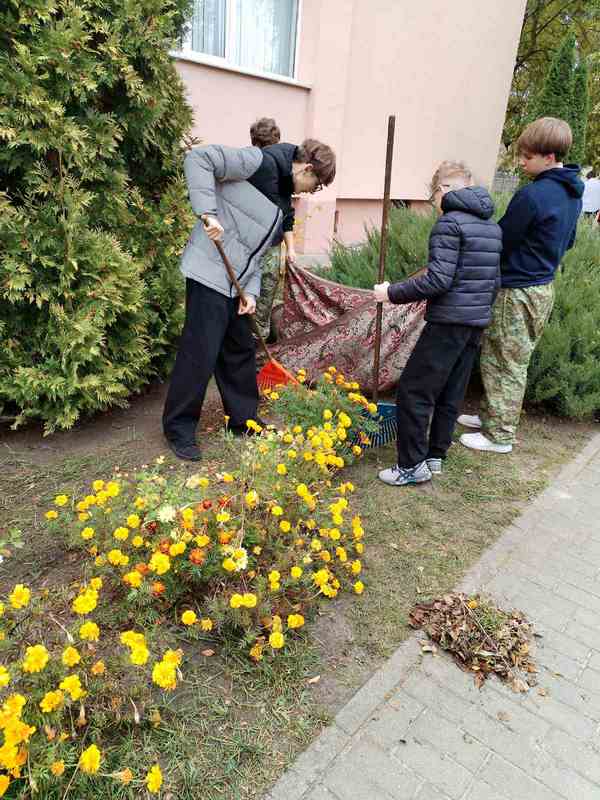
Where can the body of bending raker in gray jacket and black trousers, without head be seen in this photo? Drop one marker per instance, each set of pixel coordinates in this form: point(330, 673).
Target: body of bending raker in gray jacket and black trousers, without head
point(217, 337)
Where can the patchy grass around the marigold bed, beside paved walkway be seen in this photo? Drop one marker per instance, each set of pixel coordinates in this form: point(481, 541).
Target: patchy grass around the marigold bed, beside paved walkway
point(232, 726)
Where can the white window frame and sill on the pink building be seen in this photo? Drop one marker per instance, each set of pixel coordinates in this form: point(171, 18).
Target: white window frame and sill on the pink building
point(185, 52)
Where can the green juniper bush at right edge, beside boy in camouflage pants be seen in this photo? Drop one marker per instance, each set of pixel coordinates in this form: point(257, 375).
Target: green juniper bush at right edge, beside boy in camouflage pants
point(564, 373)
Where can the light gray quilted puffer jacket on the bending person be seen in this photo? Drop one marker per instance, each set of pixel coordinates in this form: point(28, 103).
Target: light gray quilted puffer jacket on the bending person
point(217, 184)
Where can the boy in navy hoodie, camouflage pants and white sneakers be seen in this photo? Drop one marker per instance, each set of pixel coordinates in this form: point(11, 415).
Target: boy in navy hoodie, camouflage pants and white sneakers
point(539, 226)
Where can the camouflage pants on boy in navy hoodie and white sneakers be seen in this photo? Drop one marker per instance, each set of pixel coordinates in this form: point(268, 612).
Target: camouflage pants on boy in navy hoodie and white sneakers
point(518, 321)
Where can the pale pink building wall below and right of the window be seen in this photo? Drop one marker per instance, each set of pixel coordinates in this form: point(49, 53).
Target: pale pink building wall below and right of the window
point(443, 68)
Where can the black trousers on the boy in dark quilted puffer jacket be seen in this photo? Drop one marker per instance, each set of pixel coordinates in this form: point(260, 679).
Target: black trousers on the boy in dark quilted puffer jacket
point(431, 390)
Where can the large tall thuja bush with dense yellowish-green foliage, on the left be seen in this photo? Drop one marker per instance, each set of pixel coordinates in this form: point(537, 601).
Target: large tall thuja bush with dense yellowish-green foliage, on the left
point(93, 214)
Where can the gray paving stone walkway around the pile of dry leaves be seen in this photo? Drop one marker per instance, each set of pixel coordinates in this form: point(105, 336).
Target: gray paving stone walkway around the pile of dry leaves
point(420, 730)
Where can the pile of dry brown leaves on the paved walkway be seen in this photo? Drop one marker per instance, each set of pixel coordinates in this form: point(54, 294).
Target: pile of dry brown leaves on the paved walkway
point(482, 638)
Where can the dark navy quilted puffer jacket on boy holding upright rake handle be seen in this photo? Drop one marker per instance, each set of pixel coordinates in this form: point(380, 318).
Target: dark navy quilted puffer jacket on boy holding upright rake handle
point(463, 273)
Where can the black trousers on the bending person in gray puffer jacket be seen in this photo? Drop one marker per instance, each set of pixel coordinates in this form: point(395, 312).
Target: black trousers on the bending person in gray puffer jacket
point(217, 341)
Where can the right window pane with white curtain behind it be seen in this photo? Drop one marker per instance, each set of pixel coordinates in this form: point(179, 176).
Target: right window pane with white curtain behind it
point(265, 35)
